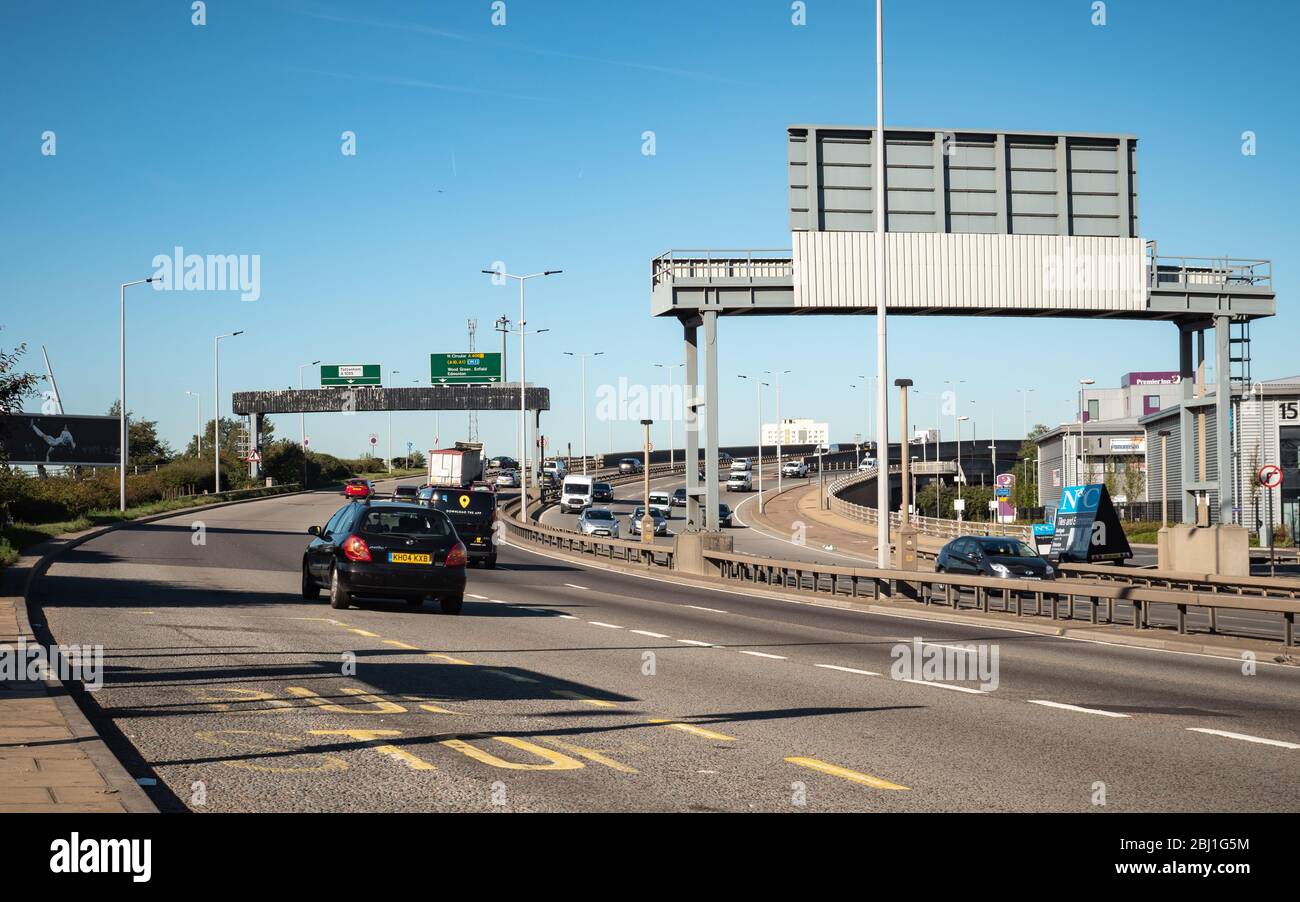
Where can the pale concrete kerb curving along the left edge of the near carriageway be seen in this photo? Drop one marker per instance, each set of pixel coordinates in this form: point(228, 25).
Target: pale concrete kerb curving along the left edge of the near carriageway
point(37, 562)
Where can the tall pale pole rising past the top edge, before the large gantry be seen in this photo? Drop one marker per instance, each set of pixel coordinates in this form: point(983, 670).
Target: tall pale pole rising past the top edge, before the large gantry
point(881, 205)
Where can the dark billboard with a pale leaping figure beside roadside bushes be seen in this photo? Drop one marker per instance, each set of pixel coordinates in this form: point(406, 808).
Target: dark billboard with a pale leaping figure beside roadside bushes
point(64, 441)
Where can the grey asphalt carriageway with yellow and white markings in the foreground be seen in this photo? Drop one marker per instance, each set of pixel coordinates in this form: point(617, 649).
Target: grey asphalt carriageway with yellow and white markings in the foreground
point(567, 688)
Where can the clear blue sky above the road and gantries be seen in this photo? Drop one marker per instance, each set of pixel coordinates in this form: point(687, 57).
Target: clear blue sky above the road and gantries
point(523, 144)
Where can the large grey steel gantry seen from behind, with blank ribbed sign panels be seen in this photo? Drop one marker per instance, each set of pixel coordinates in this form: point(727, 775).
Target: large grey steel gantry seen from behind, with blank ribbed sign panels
point(978, 224)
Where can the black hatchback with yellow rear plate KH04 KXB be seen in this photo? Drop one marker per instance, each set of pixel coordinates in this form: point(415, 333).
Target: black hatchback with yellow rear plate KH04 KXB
point(387, 550)
